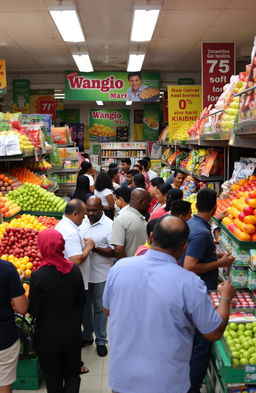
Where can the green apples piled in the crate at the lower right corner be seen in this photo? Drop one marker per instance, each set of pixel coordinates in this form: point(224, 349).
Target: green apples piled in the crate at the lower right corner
point(241, 340)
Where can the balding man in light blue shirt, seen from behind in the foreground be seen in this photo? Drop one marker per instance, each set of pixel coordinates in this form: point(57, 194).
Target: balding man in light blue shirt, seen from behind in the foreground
point(154, 306)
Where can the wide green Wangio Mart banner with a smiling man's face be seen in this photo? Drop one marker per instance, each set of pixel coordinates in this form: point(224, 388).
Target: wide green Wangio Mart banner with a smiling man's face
point(112, 86)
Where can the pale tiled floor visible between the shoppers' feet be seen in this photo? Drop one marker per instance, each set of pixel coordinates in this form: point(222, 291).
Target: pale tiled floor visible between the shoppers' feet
point(96, 381)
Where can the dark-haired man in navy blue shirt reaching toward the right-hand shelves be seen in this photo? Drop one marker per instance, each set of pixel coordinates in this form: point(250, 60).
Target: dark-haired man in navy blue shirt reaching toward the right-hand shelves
point(201, 258)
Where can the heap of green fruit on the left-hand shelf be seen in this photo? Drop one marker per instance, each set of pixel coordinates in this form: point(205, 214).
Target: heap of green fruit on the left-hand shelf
point(33, 197)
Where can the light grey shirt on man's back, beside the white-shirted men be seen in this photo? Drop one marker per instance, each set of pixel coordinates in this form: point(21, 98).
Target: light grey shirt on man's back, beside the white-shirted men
point(129, 230)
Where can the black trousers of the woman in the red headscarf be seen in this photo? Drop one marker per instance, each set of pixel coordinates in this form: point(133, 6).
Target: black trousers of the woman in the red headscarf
point(61, 370)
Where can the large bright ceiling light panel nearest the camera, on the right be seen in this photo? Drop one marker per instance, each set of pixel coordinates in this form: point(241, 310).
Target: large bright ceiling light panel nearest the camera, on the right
point(144, 23)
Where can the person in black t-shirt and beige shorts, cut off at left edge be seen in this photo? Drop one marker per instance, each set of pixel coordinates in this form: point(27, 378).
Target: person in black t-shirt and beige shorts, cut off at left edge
point(11, 298)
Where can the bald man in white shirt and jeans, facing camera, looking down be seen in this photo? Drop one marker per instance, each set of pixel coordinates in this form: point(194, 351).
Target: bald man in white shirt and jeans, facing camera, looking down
point(98, 227)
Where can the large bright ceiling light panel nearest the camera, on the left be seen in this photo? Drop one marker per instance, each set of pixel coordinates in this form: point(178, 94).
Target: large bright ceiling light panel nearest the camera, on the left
point(67, 21)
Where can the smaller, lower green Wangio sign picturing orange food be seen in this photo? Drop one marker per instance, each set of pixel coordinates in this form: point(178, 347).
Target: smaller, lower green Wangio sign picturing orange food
point(104, 123)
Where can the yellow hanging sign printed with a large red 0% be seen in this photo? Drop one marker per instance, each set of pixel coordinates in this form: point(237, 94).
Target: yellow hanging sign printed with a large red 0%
point(184, 108)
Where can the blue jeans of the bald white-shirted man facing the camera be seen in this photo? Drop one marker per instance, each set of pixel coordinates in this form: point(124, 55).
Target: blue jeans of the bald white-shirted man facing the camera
point(94, 319)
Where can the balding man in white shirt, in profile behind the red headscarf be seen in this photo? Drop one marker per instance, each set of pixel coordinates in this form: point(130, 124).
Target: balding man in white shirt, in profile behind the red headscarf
point(76, 249)
